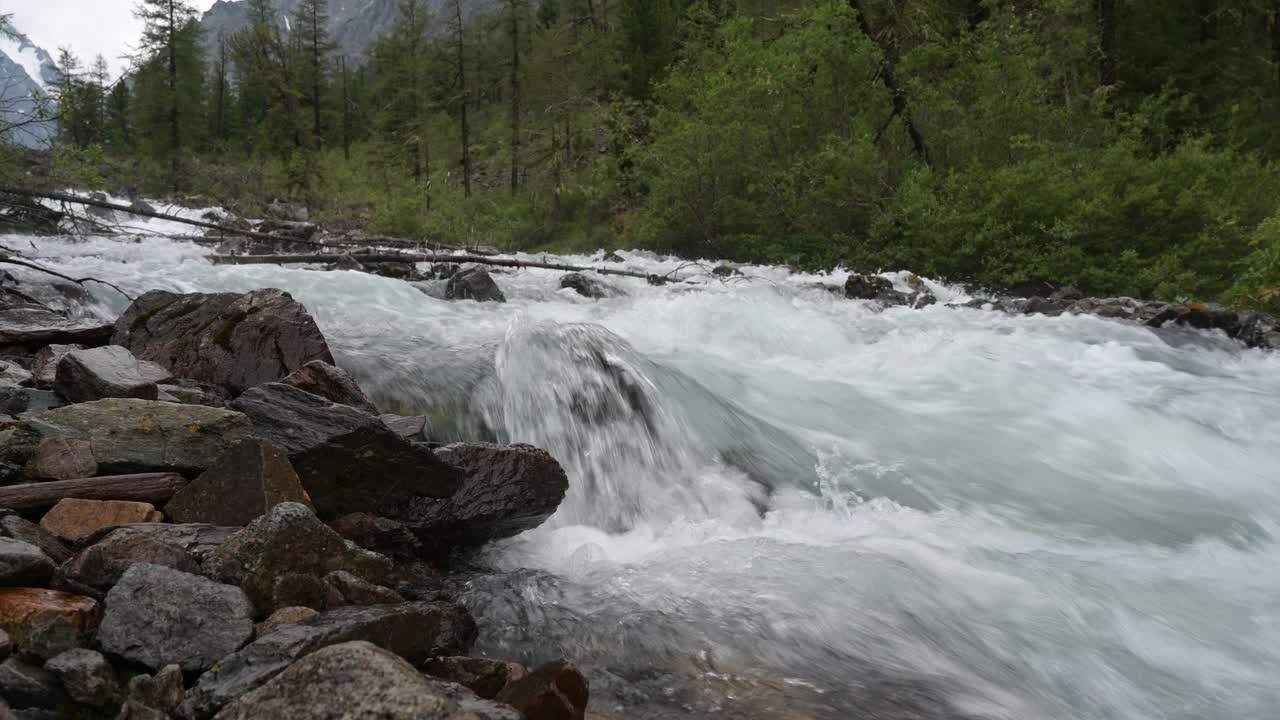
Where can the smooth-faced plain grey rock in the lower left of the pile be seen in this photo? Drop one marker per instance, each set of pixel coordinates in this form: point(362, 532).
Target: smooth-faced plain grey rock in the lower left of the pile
point(158, 616)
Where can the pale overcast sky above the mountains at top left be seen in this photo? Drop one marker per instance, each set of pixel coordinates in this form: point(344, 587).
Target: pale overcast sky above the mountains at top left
point(88, 28)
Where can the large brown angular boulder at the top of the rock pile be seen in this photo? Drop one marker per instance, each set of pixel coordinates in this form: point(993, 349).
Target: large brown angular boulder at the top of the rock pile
point(234, 341)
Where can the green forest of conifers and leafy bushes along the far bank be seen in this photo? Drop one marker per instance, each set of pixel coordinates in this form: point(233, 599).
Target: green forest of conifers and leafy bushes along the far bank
point(1126, 148)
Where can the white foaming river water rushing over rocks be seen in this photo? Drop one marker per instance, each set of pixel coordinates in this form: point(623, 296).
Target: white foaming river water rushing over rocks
point(789, 505)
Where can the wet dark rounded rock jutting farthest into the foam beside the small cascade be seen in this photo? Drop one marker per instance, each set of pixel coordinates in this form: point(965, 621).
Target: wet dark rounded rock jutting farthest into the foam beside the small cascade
point(509, 490)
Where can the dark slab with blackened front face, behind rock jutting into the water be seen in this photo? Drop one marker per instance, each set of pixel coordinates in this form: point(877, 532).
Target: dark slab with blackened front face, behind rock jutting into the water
point(349, 461)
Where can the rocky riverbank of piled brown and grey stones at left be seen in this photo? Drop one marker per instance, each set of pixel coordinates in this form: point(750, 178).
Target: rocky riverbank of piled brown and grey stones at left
point(203, 517)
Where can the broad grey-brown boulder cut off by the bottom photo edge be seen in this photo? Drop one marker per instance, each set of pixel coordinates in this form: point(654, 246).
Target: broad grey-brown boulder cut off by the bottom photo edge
point(360, 681)
